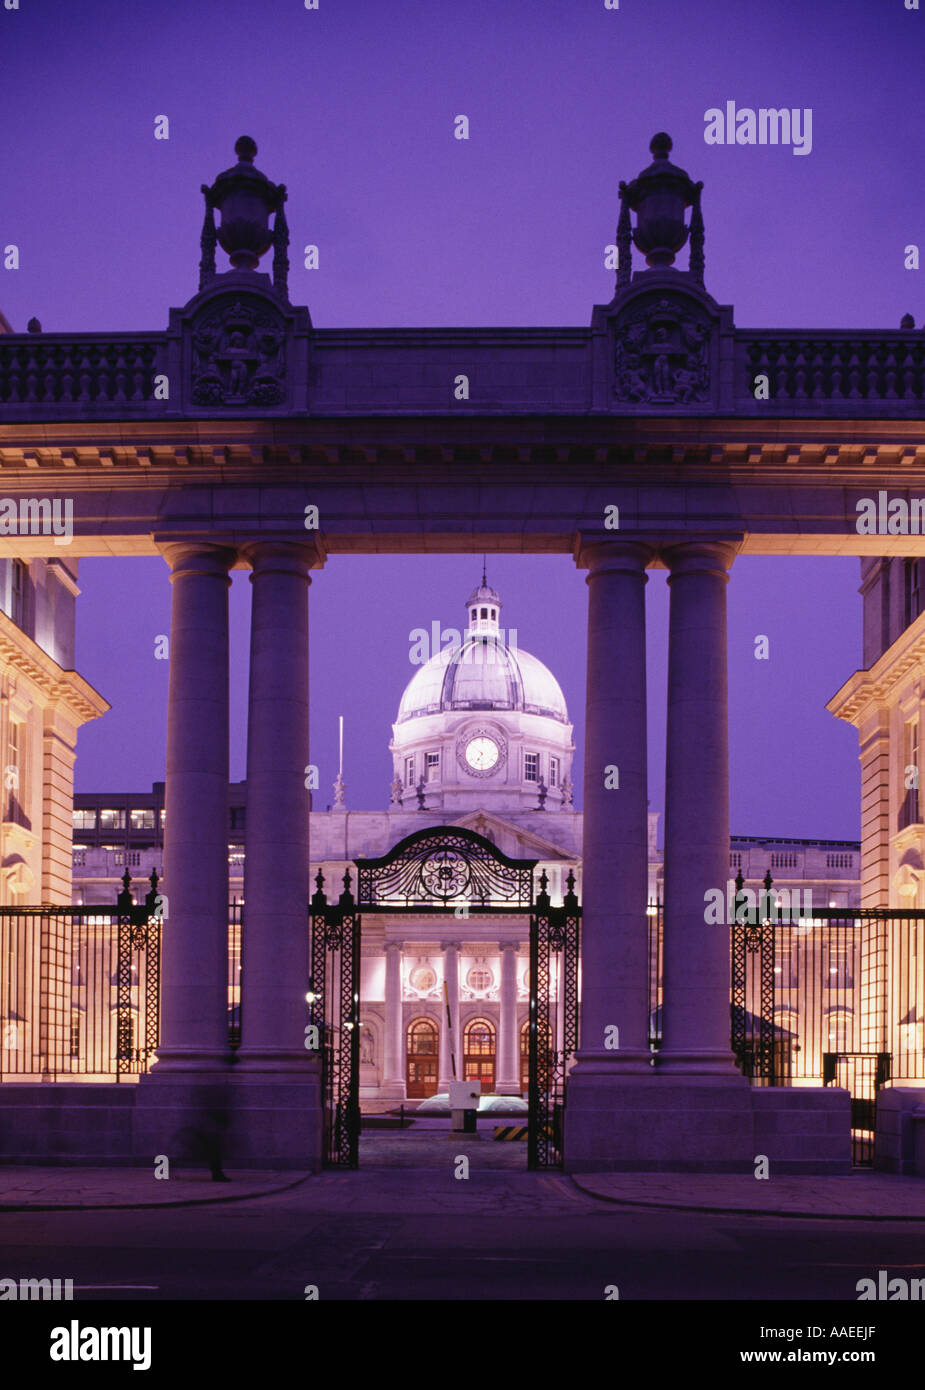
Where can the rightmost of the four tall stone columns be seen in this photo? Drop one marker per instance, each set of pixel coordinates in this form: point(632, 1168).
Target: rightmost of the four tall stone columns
point(698, 1018)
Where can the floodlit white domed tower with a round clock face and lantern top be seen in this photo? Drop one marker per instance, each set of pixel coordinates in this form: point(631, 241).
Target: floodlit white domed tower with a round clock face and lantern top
point(483, 725)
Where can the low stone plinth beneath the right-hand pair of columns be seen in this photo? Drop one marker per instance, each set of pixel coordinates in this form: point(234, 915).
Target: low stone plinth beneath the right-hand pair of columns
point(703, 1125)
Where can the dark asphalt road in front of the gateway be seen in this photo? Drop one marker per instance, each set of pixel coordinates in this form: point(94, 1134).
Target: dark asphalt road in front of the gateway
point(408, 1234)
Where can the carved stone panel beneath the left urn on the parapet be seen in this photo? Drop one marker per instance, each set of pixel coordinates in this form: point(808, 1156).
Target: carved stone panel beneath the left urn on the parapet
point(239, 358)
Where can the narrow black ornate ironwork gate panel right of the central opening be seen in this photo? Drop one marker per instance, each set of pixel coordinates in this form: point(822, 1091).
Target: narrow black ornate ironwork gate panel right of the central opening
point(554, 1020)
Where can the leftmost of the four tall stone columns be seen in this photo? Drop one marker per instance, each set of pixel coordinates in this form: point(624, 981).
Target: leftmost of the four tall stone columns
point(195, 931)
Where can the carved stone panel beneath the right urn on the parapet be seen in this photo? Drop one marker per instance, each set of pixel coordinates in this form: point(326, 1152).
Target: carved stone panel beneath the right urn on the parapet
point(663, 357)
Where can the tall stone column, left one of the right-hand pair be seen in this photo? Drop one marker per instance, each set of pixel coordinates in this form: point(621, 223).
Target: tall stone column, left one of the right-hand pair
point(616, 854)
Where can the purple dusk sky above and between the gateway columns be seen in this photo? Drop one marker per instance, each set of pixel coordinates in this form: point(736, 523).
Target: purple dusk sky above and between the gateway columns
point(353, 108)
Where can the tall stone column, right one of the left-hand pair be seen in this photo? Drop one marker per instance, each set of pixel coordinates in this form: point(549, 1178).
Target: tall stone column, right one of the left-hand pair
point(277, 890)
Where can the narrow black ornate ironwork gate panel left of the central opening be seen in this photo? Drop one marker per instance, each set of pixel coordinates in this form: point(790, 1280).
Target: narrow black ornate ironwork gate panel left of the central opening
point(335, 1008)
